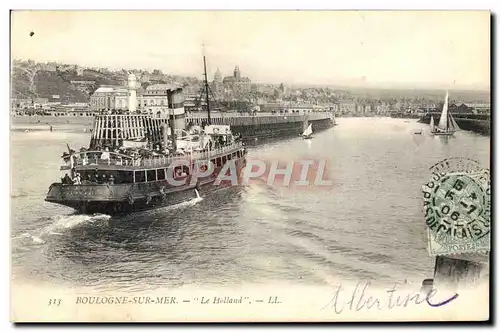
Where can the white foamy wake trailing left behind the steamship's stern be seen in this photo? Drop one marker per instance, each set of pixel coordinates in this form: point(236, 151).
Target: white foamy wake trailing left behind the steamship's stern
point(57, 225)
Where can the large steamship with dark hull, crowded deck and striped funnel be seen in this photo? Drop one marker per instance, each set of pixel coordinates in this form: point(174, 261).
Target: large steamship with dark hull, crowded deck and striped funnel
point(139, 162)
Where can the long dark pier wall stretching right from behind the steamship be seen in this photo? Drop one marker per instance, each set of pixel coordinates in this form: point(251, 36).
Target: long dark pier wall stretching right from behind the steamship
point(262, 127)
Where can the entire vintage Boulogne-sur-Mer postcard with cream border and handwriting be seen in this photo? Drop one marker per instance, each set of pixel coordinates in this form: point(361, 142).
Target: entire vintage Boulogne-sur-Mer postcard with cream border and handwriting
point(250, 166)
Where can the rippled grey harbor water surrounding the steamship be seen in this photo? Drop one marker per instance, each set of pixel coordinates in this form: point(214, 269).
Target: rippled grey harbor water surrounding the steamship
point(367, 226)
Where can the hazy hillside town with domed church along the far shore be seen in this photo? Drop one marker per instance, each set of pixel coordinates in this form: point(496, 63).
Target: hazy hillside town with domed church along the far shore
point(70, 90)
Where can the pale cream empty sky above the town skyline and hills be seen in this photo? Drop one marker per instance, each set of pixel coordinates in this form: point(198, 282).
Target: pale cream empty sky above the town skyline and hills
point(445, 49)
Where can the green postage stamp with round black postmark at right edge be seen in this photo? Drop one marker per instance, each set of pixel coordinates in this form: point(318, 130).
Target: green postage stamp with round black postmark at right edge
point(457, 205)
